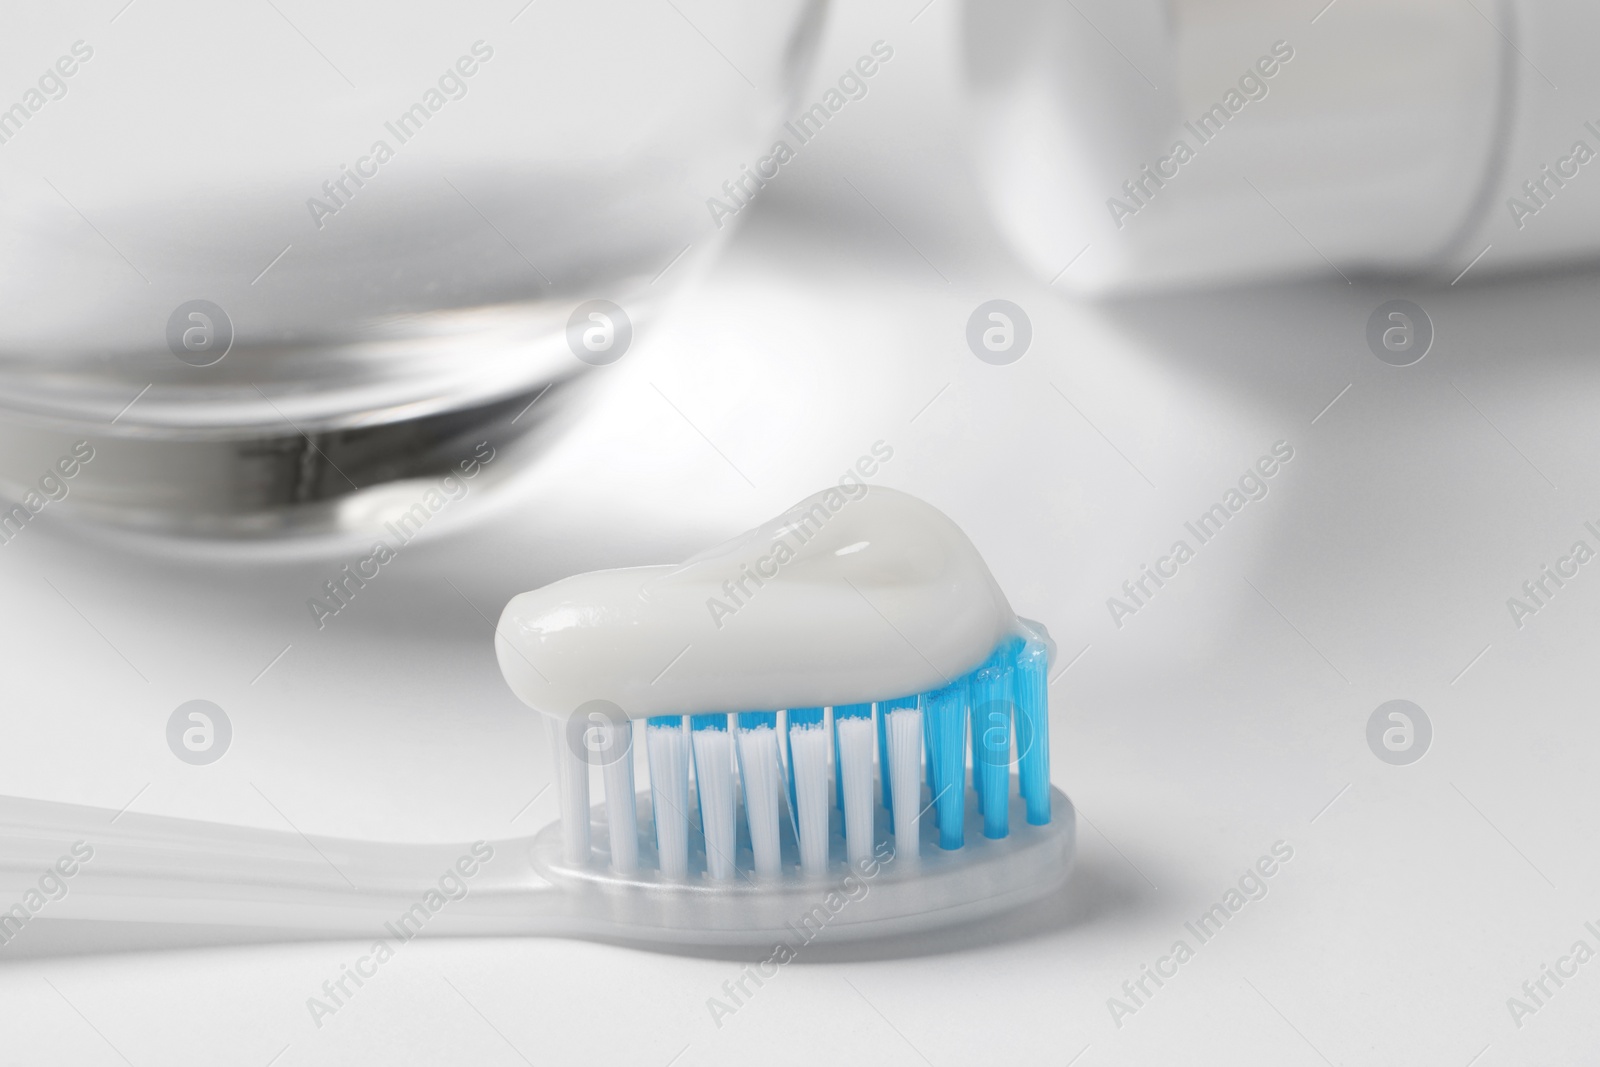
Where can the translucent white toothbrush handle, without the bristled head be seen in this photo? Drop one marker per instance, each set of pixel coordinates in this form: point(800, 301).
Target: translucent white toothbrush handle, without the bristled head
point(76, 863)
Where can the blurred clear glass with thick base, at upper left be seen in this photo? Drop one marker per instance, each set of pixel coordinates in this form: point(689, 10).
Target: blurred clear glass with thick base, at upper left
point(262, 257)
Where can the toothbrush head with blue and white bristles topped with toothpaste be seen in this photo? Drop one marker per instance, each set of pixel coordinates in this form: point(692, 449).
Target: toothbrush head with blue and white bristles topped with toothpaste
point(844, 724)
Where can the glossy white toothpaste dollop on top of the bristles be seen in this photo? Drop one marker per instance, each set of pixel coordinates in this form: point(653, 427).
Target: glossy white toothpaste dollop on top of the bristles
point(855, 594)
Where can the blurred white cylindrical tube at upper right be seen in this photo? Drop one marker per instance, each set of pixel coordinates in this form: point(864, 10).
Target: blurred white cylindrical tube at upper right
point(1135, 145)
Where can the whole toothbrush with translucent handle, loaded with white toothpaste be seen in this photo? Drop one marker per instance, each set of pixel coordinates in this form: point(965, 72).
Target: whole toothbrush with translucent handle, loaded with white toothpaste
point(831, 711)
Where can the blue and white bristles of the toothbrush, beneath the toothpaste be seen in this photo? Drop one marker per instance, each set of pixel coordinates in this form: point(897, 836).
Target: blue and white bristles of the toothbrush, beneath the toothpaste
point(820, 761)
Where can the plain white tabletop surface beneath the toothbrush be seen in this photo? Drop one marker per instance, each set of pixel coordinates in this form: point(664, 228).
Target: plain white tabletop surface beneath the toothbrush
point(1226, 716)
